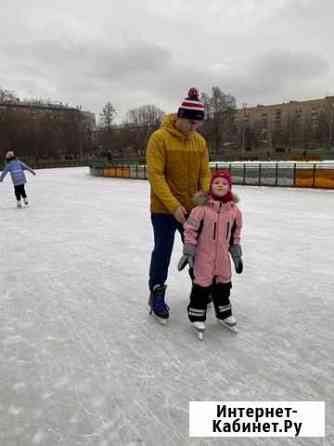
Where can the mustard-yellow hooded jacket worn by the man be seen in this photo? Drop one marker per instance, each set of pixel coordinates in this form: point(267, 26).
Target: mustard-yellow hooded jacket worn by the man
point(178, 167)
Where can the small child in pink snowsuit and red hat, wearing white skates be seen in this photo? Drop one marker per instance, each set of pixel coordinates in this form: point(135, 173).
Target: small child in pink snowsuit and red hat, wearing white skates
point(211, 235)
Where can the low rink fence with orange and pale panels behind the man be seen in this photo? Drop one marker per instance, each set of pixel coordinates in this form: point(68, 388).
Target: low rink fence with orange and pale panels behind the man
point(314, 175)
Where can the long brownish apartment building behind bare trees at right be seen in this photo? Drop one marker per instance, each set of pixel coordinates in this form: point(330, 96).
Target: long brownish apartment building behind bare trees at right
point(302, 128)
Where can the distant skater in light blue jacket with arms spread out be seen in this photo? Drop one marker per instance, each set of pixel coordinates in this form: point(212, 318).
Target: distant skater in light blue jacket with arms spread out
point(16, 169)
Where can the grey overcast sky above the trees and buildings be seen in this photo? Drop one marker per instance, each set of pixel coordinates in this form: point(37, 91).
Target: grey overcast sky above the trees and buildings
point(137, 52)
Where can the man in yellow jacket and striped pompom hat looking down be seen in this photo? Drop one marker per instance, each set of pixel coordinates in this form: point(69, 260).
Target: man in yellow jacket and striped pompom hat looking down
point(178, 167)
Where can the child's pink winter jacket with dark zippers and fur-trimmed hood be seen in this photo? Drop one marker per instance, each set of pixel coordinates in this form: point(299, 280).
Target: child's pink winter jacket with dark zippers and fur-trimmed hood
point(219, 225)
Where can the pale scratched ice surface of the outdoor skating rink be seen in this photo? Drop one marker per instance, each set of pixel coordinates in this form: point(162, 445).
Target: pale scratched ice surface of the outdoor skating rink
point(81, 361)
